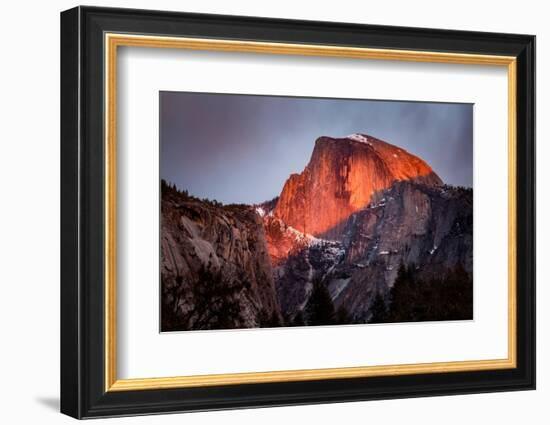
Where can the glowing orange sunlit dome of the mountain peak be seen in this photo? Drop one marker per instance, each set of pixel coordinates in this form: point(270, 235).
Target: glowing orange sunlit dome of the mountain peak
point(343, 176)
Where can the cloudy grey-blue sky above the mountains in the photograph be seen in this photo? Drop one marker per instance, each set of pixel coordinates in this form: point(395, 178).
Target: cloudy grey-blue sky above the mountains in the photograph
point(242, 148)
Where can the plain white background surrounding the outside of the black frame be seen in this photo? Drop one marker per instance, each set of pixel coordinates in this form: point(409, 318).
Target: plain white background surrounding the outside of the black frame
point(29, 216)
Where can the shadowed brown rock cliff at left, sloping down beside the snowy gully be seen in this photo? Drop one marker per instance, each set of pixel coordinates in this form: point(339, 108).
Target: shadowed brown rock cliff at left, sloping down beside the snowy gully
point(215, 268)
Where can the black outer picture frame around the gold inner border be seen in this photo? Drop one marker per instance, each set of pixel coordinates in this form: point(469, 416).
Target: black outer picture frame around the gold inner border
point(83, 392)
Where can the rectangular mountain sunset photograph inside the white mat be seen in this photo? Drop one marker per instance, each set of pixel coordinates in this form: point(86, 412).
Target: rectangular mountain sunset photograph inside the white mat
point(282, 211)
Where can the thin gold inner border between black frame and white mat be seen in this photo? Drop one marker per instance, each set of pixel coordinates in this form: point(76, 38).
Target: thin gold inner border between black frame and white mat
point(114, 40)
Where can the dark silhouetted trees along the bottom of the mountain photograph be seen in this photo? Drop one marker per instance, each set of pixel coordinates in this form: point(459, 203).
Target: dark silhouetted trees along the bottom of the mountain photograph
point(411, 299)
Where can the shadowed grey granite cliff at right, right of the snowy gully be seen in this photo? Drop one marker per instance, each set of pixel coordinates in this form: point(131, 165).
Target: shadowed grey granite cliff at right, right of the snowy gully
point(430, 228)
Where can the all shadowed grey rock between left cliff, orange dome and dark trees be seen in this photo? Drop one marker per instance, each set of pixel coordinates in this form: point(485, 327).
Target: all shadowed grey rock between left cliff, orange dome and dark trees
point(410, 223)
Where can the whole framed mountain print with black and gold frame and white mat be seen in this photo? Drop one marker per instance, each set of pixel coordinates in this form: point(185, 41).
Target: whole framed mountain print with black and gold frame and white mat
point(261, 212)
